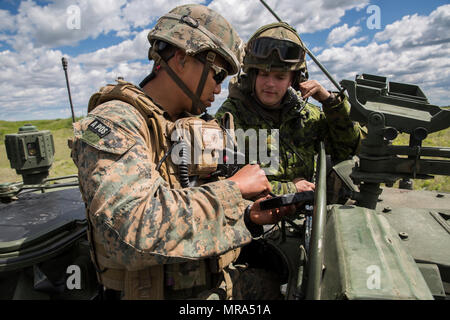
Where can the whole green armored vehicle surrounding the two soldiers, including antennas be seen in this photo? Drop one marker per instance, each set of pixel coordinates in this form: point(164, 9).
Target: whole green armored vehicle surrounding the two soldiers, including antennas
point(352, 238)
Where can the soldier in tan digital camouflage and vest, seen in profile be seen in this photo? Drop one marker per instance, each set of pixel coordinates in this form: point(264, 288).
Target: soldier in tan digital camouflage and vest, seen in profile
point(150, 238)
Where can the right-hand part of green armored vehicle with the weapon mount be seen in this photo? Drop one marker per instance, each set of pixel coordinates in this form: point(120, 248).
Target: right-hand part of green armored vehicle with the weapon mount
point(368, 242)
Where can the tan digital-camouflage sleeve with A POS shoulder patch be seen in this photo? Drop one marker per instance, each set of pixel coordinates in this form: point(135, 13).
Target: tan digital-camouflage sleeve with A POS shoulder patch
point(139, 219)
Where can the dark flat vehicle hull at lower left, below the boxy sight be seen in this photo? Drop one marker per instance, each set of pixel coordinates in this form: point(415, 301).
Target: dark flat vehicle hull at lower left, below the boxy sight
point(44, 252)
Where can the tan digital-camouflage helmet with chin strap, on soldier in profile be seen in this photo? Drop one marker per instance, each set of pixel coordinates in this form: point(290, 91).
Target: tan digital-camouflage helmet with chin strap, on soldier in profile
point(196, 29)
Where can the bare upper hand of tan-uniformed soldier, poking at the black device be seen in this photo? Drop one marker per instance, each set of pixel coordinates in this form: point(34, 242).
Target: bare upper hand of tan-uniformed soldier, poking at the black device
point(252, 181)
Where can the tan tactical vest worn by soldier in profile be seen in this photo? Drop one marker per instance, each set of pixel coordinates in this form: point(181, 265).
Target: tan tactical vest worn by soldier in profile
point(150, 283)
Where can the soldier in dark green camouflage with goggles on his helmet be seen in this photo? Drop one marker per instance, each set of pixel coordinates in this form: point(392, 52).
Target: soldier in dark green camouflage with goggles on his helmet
point(265, 97)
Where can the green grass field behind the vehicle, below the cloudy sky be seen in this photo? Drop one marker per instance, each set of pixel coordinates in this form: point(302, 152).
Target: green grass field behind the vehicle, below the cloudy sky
point(63, 165)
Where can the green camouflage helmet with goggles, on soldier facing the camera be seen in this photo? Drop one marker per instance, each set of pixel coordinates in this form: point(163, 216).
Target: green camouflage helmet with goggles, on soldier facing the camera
point(276, 47)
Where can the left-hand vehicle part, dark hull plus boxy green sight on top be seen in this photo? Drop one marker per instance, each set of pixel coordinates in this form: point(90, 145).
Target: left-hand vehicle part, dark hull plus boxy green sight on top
point(44, 252)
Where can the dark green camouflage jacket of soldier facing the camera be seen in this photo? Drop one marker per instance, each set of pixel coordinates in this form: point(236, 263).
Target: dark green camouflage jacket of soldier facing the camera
point(301, 127)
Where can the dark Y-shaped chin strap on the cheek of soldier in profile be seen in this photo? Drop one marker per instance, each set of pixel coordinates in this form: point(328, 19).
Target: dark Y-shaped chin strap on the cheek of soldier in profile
point(197, 104)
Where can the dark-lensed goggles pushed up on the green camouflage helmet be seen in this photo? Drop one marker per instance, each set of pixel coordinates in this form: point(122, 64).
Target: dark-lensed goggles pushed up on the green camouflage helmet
point(288, 51)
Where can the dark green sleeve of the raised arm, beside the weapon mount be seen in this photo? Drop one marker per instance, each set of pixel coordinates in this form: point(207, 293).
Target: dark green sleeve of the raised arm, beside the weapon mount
point(342, 136)
